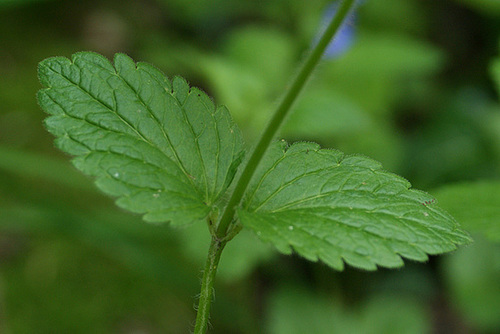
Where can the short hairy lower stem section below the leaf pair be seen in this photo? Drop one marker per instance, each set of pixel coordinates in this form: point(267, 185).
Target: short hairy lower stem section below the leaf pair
point(207, 285)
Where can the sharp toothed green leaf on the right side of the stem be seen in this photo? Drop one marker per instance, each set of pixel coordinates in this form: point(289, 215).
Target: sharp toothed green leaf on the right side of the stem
point(333, 207)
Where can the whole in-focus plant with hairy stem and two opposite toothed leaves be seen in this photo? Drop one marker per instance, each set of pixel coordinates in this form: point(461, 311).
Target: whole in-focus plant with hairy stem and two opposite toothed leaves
point(164, 150)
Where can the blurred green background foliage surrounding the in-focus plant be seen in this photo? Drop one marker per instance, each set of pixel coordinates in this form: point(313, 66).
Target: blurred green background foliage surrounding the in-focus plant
point(417, 91)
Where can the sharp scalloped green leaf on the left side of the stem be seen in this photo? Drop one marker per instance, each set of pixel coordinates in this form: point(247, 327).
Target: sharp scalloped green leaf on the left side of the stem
point(163, 148)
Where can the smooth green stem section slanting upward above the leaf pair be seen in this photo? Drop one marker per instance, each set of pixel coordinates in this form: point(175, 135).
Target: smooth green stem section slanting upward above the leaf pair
point(279, 117)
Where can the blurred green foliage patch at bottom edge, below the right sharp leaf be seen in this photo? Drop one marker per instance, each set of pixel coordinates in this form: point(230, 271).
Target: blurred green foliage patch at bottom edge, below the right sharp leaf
point(289, 306)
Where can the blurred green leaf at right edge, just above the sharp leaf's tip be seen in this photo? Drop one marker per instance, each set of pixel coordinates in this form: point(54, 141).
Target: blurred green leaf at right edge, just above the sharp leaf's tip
point(476, 205)
